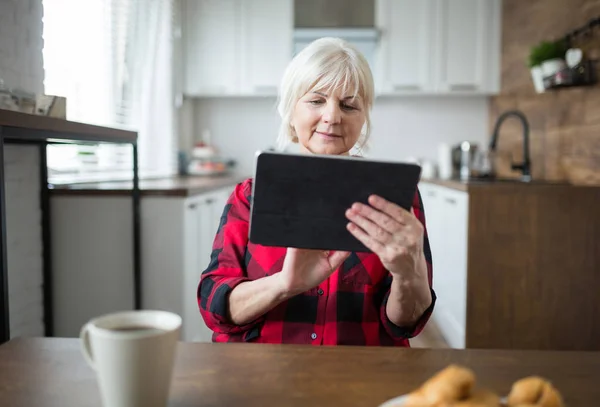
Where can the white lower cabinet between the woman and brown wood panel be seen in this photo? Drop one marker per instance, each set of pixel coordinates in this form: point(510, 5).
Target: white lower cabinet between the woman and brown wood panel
point(446, 212)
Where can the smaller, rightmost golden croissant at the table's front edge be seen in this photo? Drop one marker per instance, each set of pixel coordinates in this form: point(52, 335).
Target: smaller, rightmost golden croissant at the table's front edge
point(535, 391)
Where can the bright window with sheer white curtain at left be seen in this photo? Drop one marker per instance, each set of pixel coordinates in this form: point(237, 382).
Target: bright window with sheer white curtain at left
point(112, 59)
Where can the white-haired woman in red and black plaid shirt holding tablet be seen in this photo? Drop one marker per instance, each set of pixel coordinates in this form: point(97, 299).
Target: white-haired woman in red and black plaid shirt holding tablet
point(261, 294)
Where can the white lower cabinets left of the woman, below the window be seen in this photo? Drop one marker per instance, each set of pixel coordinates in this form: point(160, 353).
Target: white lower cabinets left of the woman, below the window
point(92, 256)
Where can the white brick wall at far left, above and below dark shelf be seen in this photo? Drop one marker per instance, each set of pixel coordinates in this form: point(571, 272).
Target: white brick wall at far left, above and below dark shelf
point(21, 67)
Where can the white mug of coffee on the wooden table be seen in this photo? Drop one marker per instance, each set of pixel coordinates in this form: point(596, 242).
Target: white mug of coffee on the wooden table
point(132, 353)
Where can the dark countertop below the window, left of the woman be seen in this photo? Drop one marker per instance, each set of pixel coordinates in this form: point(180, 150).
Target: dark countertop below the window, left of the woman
point(178, 186)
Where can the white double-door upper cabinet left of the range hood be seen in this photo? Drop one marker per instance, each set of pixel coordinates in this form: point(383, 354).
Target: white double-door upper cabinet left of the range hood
point(236, 47)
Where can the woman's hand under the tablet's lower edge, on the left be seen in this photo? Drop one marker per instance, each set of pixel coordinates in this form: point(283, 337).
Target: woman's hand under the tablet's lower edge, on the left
point(304, 269)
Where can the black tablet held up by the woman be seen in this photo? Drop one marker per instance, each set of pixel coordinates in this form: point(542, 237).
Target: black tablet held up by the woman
point(301, 200)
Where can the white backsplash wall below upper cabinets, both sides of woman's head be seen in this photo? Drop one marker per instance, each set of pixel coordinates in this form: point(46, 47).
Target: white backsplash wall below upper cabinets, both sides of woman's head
point(402, 127)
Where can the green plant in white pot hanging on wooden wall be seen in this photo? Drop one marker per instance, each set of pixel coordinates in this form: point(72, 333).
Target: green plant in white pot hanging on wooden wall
point(546, 59)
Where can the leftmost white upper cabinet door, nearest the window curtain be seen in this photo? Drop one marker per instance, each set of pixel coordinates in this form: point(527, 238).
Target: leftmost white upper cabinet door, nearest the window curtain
point(211, 33)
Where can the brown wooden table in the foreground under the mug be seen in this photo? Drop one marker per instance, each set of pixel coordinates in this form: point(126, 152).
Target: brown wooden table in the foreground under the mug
point(52, 373)
